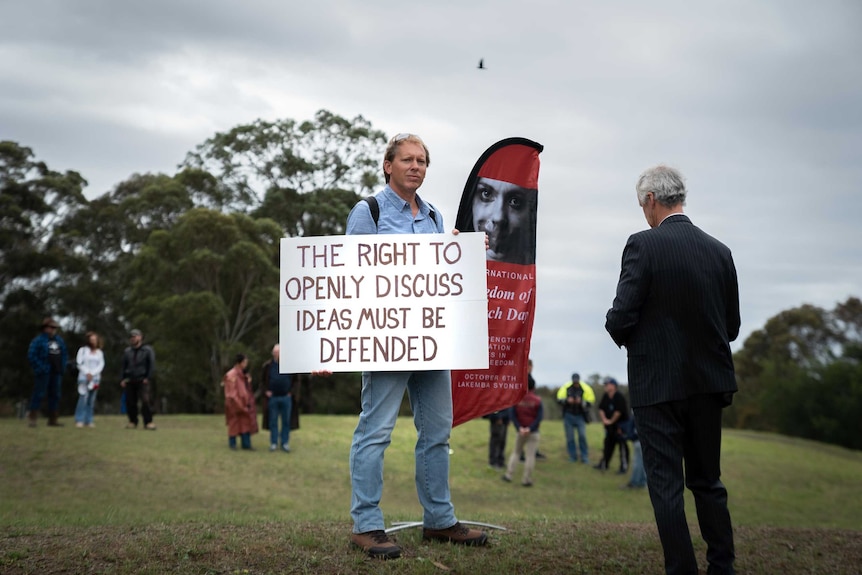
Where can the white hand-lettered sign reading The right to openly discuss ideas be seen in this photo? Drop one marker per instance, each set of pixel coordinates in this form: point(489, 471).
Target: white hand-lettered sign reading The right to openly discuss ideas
point(383, 303)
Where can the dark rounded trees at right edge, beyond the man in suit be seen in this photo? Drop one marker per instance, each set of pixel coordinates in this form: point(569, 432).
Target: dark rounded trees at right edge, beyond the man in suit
point(801, 374)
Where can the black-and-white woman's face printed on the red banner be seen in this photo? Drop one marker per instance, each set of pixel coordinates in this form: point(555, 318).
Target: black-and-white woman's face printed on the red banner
point(503, 211)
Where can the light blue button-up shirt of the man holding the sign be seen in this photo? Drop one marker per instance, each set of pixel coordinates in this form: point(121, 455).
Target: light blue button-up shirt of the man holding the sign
point(396, 217)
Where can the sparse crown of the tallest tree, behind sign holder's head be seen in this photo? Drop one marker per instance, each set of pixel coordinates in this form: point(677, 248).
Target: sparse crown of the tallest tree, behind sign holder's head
point(305, 175)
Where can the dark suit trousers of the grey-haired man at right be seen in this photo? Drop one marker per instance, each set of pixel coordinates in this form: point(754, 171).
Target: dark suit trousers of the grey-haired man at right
point(681, 443)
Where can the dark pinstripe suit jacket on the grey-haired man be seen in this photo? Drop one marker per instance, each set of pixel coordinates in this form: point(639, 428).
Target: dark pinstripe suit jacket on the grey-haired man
point(676, 311)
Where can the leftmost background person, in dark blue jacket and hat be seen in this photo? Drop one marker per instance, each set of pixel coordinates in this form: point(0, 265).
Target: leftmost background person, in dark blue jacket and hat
point(47, 356)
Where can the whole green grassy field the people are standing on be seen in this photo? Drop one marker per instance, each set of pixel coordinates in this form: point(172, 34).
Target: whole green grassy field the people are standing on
point(110, 500)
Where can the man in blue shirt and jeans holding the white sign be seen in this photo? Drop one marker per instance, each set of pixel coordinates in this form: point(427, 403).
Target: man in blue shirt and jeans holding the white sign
point(398, 209)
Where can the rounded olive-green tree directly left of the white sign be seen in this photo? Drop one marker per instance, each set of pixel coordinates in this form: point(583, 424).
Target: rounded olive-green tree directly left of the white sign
point(204, 290)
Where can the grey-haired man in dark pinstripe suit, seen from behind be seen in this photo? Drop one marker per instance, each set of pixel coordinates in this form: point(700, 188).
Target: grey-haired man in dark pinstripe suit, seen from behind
point(677, 310)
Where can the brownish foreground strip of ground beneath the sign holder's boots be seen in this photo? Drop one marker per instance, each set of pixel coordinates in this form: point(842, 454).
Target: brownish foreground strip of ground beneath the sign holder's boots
point(525, 547)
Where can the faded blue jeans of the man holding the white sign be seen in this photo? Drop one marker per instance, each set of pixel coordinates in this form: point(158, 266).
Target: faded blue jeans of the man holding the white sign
point(430, 394)
